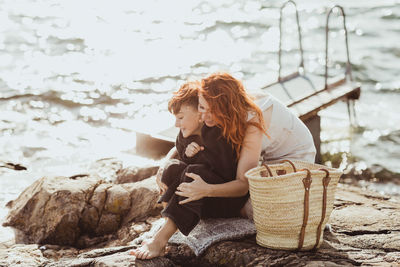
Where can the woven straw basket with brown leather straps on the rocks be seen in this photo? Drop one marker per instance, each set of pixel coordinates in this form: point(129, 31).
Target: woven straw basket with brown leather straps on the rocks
point(292, 202)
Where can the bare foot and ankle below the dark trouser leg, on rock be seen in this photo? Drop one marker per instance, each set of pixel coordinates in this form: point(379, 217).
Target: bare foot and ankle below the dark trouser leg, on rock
point(155, 246)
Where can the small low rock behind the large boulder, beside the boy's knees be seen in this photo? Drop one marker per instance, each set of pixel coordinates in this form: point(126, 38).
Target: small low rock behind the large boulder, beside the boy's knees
point(134, 174)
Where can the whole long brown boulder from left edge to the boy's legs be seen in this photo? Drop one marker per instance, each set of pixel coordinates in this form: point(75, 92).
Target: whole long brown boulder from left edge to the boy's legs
point(65, 211)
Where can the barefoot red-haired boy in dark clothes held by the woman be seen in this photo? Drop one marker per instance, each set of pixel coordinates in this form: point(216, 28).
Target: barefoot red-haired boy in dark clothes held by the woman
point(201, 150)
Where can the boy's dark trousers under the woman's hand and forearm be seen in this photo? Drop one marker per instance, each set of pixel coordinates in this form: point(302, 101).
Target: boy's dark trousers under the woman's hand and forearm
point(187, 216)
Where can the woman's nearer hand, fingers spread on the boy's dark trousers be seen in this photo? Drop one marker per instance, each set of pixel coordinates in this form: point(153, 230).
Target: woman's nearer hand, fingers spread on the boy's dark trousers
point(197, 189)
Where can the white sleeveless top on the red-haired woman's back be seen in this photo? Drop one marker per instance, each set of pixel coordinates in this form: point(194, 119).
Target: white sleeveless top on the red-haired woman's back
point(289, 138)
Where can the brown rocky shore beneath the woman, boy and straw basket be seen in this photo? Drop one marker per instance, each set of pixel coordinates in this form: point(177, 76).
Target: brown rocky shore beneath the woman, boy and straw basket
point(95, 218)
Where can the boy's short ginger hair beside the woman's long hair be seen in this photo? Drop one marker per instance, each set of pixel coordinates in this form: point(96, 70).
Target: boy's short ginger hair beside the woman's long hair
point(186, 95)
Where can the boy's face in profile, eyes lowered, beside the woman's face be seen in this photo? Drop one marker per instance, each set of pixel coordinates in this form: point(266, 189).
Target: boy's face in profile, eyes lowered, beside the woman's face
point(188, 121)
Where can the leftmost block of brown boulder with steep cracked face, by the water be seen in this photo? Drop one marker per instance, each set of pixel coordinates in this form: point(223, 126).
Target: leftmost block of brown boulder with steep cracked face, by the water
point(49, 210)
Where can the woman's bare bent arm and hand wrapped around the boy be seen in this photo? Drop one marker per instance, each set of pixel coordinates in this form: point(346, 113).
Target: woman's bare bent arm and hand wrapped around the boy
point(248, 158)
